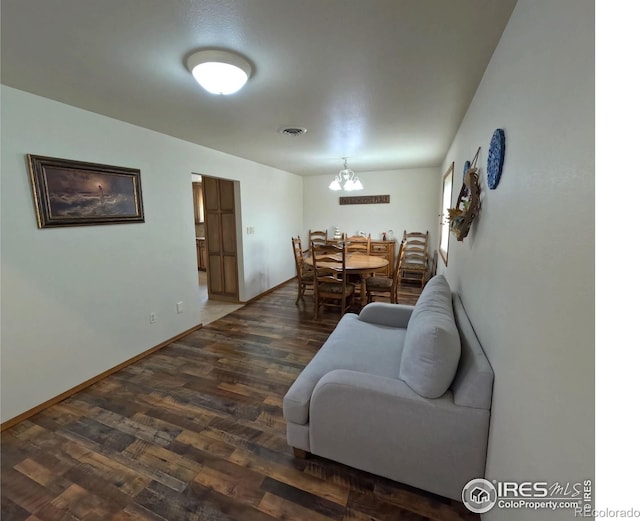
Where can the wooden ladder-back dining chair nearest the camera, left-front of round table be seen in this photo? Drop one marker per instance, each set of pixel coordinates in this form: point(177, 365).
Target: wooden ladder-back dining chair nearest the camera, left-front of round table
point(330, 287)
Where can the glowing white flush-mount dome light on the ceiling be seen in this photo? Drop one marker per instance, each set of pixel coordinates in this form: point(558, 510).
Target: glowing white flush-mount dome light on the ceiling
point(219, 72)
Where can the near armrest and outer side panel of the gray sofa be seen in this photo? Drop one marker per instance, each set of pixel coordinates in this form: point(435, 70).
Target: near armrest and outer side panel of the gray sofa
point(380, 425)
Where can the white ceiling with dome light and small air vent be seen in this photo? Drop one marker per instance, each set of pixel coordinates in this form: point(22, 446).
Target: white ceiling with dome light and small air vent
point(384, 82)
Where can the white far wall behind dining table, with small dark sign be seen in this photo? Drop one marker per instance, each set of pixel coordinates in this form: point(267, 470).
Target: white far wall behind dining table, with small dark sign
point(414, 202)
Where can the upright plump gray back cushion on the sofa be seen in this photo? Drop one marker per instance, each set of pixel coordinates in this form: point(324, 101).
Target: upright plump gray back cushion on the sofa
point(431, 348)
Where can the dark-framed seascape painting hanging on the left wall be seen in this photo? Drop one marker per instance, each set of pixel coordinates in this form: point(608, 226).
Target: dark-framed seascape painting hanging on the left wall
point(75, 193)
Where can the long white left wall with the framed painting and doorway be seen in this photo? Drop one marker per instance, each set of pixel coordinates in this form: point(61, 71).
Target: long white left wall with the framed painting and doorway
point(76, 301)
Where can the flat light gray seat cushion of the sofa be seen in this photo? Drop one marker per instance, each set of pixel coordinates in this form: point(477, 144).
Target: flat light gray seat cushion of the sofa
point(354, 345)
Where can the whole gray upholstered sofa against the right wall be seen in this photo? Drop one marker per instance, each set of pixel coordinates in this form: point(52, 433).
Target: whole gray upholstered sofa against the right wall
point(399, 391)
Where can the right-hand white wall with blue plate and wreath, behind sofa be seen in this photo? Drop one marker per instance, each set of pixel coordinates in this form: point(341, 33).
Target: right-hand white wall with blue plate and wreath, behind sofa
point(526, 271)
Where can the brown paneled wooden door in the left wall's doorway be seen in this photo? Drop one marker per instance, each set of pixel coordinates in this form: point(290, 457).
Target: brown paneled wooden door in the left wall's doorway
point(220, 233)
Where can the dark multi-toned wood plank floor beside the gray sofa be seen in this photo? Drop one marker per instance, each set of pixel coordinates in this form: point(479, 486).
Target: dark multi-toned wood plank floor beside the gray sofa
point(195, 432)
